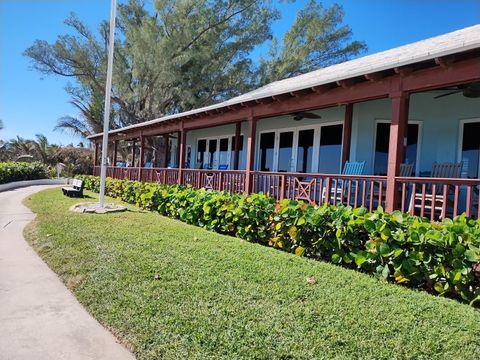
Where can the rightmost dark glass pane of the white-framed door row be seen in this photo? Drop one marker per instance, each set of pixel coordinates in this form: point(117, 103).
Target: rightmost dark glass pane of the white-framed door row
point(330, 156)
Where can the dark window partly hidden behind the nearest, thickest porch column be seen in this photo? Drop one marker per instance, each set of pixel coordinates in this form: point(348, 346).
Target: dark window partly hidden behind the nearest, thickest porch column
point(382, 144)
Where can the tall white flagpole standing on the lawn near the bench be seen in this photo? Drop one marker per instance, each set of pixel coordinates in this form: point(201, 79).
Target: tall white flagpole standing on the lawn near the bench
point(106, 112)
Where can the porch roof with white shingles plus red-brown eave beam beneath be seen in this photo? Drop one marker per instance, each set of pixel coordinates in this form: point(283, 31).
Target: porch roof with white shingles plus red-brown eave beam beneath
point(444, 60)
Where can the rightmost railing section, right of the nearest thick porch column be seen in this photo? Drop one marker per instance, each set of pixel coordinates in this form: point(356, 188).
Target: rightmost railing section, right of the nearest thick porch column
point(437, 198)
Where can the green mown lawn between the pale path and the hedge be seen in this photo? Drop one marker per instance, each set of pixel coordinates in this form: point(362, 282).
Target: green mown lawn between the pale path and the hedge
point(171, 290)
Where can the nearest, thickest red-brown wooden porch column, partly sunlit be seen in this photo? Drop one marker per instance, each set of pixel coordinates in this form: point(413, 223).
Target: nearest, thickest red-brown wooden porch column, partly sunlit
point(398, 127)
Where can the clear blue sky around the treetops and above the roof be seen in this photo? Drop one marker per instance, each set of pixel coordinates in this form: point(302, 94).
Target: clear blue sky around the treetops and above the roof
point(30, 102)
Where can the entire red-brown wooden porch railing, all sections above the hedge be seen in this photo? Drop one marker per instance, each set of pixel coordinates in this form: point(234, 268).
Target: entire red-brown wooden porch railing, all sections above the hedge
point(434, 198)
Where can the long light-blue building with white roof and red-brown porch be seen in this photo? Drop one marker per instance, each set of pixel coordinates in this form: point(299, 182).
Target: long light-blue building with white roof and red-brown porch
point(407, 120)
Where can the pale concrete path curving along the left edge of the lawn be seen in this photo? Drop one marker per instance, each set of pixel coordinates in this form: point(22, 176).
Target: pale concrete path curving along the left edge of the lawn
point(39, 317)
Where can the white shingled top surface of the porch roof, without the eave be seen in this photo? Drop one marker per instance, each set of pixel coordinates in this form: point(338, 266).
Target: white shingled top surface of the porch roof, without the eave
point(448, 44)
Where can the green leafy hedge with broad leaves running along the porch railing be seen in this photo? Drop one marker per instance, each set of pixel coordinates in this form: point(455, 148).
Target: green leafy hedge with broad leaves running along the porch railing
point(442, 258)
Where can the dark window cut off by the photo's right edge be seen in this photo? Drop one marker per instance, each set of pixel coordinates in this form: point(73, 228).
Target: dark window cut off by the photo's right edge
point(470, 149)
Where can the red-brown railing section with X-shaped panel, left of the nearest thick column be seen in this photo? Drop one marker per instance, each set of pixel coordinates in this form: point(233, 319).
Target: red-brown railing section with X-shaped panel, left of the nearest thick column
point(354, 190)
